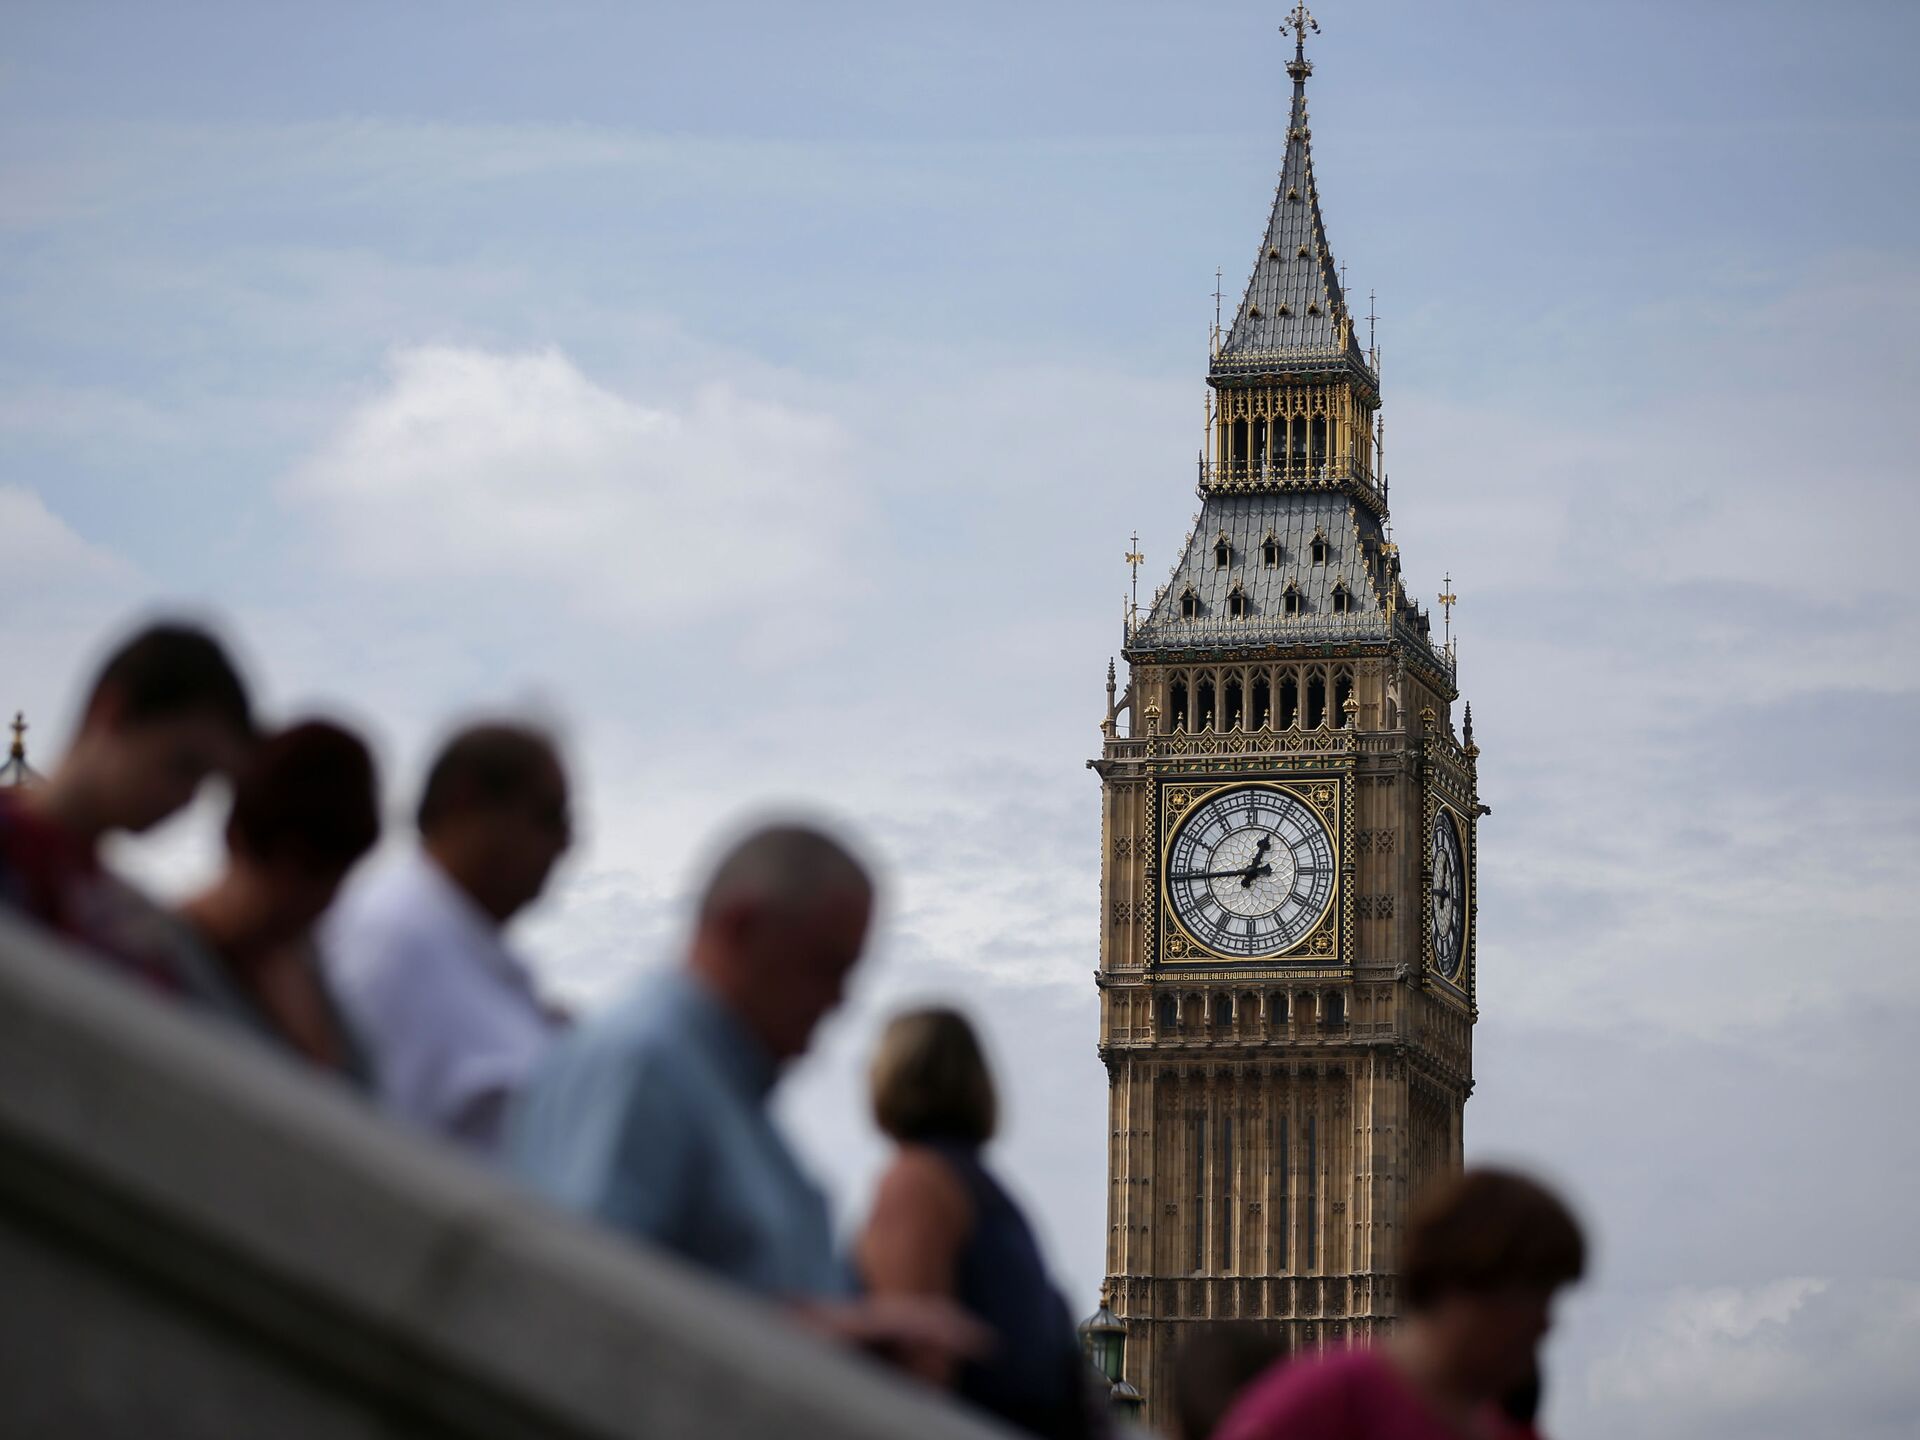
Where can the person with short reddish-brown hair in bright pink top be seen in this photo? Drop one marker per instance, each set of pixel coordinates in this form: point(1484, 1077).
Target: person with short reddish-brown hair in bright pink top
point(1483, 1259)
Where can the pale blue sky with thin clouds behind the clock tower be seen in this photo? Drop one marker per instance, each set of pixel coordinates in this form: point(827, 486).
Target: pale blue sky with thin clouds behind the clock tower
point(765, 396)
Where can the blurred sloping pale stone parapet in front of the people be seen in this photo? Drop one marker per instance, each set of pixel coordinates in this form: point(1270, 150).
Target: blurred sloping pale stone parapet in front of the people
point(197, 1239)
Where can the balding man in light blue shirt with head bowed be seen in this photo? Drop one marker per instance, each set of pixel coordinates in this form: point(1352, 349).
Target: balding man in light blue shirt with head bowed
point(654, 1118)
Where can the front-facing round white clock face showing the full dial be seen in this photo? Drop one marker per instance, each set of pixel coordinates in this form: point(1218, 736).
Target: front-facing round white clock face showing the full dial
point(1251, 871)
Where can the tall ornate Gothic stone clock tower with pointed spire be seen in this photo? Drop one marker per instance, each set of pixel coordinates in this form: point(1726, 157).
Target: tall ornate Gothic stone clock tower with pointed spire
point(1287, 948)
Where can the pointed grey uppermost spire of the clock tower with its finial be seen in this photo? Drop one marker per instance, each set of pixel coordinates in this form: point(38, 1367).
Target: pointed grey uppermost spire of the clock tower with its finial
point(1295, 308)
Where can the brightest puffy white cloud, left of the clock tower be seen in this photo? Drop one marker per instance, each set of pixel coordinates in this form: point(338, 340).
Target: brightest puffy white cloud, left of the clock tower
point(517, 471)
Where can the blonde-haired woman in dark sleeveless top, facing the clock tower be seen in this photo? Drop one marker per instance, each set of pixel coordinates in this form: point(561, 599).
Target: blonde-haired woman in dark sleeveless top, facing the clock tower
point(942, 1226)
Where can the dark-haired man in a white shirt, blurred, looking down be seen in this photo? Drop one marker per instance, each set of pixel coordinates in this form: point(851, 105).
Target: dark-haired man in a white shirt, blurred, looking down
point(448, 1015)
